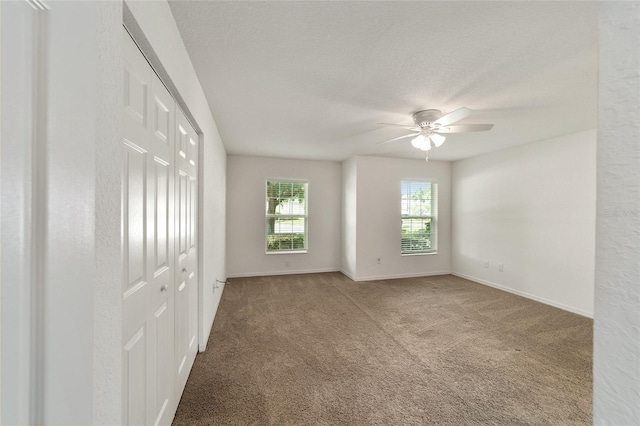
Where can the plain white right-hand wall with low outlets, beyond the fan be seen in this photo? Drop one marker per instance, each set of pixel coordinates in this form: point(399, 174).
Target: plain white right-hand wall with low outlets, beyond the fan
point(531, 208)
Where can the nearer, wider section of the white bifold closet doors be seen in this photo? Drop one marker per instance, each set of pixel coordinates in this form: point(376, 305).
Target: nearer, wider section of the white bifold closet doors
point(148, 244)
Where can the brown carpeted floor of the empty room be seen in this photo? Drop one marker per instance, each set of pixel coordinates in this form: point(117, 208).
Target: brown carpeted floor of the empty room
point(322, 349)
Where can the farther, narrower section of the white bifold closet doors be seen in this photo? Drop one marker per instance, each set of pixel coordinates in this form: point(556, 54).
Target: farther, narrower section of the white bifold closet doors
point(186, 290)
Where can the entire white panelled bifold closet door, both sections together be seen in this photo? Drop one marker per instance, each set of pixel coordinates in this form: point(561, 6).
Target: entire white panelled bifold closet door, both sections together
point(159, 231)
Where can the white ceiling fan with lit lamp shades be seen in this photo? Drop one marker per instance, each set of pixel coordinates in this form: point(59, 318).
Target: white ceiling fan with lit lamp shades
point(430, 124)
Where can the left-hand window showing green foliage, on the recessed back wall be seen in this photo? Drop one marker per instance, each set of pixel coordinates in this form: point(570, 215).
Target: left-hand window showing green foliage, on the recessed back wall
point(286, 219)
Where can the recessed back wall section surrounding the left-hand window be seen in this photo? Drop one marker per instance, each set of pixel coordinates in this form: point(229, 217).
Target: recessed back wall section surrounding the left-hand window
point(246, 177)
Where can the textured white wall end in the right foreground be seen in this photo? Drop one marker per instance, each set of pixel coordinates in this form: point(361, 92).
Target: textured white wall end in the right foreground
point(616, 372)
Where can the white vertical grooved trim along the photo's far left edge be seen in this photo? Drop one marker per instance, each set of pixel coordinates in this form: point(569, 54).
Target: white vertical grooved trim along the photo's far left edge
point(24, 211)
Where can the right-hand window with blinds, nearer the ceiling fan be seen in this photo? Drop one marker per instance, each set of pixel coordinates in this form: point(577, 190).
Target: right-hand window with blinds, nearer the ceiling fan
point(418, 217)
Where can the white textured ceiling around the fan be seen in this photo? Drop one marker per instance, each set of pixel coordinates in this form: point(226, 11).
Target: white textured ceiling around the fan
point(311, 79)
